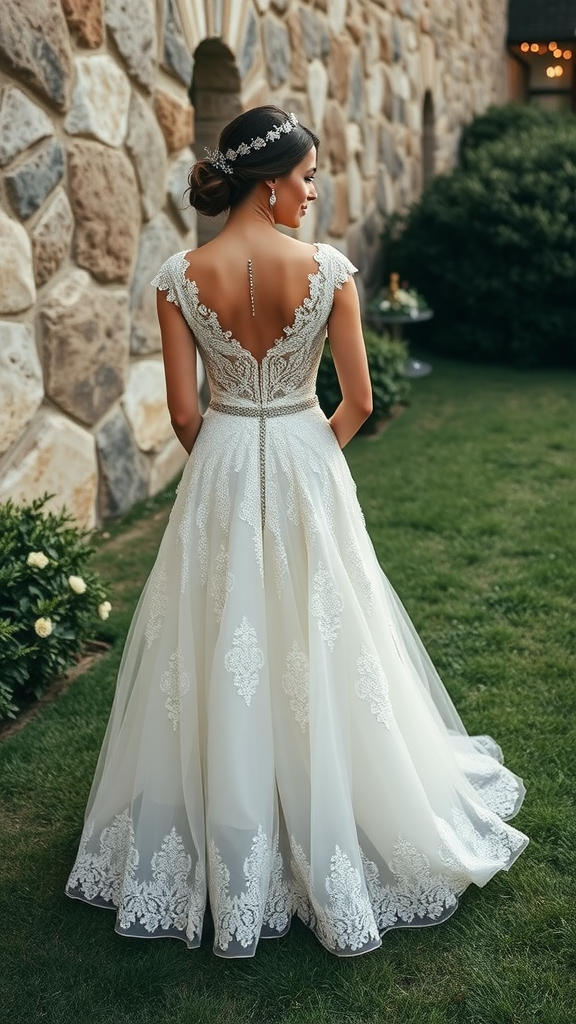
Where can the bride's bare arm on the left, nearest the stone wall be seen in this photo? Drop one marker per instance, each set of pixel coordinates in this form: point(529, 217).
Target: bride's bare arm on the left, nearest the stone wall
point(179, 352)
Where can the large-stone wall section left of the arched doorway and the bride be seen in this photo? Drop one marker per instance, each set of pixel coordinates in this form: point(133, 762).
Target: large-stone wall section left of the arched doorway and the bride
point(96, 129)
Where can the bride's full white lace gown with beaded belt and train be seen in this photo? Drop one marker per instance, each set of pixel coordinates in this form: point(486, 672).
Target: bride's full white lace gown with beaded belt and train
point(280, 743)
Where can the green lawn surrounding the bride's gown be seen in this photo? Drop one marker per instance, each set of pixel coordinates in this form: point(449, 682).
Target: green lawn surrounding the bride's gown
point(470, 500)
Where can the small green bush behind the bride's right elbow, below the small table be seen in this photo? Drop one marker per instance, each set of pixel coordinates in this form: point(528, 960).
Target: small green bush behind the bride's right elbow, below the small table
point(387, 360)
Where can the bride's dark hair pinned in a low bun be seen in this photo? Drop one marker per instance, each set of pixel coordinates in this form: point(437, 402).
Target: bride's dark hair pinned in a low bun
point(213, 191)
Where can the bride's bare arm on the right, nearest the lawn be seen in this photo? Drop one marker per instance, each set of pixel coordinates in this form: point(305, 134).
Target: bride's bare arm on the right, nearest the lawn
point(349, 352)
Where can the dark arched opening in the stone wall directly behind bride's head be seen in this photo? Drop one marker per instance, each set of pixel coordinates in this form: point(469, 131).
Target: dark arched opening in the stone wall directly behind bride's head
point(216, 98)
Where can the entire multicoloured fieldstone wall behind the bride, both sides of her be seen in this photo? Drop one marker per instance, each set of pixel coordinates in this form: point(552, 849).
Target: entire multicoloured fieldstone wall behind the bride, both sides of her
point(97, 127)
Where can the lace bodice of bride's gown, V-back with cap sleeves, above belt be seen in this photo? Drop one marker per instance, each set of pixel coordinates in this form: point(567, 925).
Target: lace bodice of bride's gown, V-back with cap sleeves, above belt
point(287, 373)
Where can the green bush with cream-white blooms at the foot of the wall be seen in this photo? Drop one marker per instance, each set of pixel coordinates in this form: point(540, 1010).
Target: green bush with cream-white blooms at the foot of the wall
point(50, 600)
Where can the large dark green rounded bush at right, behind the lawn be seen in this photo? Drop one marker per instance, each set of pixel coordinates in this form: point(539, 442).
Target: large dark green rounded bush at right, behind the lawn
point(493, 247)
